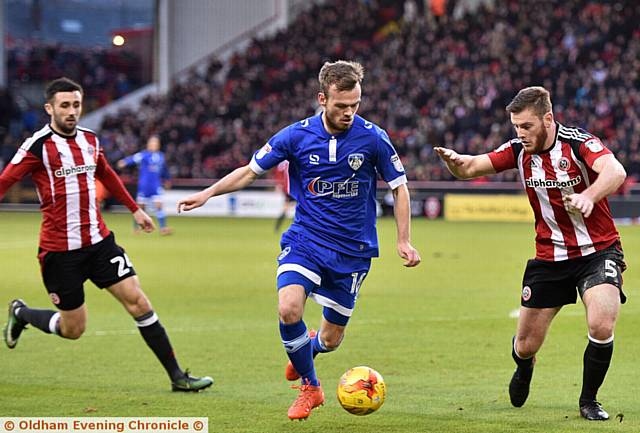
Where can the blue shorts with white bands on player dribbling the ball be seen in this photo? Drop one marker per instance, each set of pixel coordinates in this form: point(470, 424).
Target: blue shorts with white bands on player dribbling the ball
point(331, 278)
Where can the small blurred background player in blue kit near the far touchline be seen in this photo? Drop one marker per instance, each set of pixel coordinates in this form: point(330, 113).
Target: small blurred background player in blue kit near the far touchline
point(152, 175)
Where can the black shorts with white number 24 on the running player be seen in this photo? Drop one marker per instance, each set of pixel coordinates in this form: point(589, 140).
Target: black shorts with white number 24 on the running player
point(64, 272)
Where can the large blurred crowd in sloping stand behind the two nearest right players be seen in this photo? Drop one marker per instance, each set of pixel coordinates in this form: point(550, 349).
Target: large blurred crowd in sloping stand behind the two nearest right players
point(431, 81)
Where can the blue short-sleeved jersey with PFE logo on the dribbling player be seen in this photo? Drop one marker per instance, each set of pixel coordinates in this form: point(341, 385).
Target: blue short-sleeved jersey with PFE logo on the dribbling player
point(333, 180)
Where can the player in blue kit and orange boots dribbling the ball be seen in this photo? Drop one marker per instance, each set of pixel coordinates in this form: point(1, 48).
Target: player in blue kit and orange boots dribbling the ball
point(334, 159)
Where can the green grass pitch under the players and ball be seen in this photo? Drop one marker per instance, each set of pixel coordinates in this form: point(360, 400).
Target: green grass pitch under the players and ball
point(439, 334)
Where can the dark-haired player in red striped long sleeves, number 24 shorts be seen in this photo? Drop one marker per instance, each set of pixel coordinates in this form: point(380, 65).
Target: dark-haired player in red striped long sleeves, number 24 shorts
point(65, 161)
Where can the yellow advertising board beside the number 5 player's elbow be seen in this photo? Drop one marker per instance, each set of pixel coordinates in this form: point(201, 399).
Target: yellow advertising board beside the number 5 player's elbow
point(487, 207)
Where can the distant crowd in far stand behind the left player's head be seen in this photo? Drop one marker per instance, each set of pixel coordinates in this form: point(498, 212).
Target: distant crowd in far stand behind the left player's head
point(106, 74)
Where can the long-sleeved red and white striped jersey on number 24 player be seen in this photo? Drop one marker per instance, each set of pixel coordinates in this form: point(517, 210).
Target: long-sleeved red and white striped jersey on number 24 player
point(64, 170)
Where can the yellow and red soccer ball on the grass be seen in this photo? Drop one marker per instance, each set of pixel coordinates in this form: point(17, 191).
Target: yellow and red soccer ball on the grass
point(361, 390)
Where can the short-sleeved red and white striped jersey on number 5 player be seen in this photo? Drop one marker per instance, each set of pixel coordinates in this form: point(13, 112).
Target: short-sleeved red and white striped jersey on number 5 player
point(563, 169)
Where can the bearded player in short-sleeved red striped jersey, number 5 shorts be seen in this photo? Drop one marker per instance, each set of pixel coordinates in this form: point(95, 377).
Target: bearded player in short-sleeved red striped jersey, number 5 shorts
point(567, 174)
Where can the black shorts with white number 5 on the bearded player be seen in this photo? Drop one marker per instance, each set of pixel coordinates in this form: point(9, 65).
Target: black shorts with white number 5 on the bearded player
point(554, 284)
